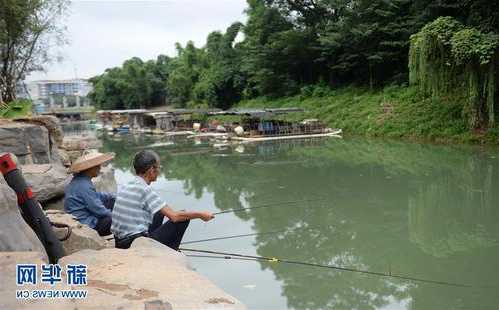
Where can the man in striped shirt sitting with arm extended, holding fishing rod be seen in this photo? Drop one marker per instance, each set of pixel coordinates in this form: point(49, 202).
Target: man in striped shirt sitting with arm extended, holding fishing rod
point(139, 211)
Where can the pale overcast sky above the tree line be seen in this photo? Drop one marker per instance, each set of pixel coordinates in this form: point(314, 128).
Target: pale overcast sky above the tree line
point(104, 33)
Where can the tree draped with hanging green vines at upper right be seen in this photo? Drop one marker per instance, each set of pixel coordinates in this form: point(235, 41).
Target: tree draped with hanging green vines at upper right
point(447, 57)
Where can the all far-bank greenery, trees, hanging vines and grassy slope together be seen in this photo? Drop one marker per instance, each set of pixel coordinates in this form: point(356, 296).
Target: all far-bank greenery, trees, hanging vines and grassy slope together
point(401, 68)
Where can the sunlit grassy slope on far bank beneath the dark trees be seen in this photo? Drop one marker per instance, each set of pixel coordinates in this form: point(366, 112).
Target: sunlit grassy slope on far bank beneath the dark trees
point(394, 112)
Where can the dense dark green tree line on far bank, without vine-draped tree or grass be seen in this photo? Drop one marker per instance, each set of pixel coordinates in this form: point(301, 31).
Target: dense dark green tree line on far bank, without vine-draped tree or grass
point(286, 46)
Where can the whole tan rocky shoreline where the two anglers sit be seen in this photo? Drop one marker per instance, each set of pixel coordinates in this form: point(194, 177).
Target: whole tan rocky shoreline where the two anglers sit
point(148, 275)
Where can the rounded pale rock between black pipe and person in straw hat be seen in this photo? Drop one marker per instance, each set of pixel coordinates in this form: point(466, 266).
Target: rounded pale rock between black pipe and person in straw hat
point(47, 181)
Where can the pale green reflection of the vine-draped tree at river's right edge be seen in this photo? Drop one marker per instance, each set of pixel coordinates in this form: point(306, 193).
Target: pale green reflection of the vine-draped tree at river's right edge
point(453, 214)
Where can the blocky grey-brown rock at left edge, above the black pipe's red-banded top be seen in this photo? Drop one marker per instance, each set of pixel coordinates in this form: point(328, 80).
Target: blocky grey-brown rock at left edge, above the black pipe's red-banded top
point(29, 142)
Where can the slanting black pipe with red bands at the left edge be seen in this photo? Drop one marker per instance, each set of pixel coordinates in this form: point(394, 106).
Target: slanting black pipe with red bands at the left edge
point(30, 208)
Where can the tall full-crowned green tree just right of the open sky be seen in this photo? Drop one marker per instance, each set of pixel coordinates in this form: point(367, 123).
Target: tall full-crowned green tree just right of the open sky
point(272, 52)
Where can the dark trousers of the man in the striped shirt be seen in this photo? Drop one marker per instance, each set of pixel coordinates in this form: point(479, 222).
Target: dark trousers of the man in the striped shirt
point(168, 233)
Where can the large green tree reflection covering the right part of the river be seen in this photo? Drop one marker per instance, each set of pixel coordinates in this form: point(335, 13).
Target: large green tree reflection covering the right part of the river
point(364, 221)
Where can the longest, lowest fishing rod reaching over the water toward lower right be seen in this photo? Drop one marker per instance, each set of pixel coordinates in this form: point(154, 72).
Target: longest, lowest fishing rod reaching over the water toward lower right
point(225, 255)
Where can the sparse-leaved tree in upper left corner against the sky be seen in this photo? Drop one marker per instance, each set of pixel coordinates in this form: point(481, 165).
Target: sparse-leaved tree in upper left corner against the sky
point(27, 30)
